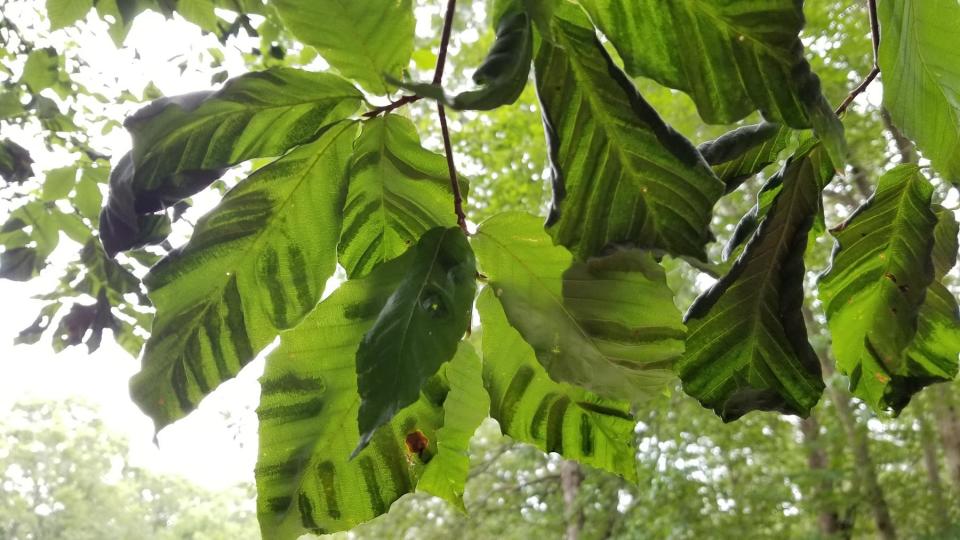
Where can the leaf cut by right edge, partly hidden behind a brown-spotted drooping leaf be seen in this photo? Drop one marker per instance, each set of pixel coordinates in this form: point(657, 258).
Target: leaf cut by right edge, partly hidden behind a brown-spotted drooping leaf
point(933, 355)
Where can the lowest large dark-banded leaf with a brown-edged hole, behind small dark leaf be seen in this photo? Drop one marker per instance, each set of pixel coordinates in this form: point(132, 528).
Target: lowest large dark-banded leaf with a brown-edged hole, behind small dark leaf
point(306, 481)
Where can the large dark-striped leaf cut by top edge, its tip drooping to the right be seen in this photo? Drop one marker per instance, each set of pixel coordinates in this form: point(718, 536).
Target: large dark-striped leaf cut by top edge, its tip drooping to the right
point(732, 58)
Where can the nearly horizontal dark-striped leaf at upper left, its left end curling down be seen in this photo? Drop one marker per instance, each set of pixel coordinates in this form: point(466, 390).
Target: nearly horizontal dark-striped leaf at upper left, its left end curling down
point(260, 114)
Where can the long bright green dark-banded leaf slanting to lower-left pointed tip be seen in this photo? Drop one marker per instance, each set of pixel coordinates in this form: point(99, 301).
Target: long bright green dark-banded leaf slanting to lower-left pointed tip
point(255, 265)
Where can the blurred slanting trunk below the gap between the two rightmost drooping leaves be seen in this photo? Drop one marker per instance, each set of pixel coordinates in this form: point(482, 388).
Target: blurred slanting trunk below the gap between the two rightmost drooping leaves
point(860, 445)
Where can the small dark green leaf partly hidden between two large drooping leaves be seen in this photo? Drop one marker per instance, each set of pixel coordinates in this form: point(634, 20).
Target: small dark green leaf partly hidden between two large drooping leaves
point(739, 154)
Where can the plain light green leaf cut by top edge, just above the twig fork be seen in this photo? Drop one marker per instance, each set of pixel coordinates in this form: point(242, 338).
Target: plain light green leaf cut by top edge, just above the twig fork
point(362, 39)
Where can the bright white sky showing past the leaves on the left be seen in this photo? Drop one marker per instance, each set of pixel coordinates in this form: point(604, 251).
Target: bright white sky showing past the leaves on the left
point(216, 445)
